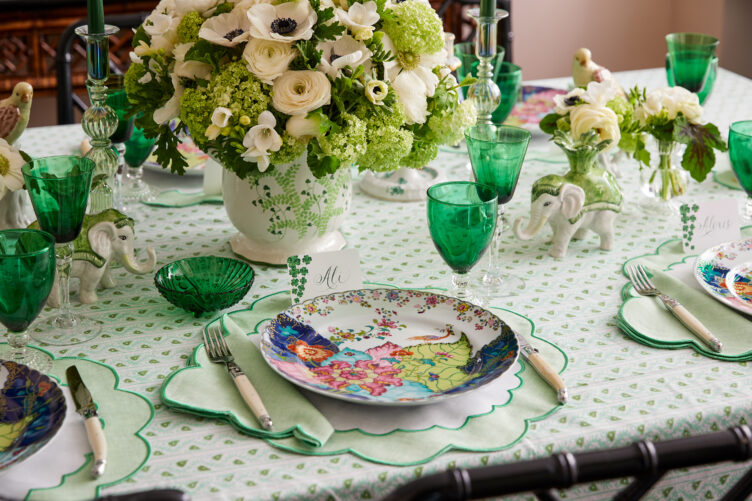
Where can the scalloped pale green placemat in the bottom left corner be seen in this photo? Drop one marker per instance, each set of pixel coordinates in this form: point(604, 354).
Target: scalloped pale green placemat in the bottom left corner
point(125, 415)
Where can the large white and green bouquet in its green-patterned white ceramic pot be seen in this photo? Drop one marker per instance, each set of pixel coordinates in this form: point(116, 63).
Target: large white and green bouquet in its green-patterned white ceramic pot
point(287, 96)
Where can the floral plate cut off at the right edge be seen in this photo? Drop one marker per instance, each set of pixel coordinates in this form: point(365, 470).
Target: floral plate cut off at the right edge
point(725, 271)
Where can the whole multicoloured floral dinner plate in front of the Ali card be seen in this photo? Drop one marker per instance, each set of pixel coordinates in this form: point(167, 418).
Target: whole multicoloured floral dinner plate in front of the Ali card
point(388, 347)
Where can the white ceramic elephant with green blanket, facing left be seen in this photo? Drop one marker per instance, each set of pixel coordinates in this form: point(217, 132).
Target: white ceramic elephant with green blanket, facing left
point(573, 204)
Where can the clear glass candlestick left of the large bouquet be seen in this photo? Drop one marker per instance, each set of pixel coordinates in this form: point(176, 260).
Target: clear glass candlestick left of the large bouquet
point(99, 121)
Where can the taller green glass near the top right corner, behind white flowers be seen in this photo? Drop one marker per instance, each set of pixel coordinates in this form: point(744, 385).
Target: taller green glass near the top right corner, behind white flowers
point(691, 56)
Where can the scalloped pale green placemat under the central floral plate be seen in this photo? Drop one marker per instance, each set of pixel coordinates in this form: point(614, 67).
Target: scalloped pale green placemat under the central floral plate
point(532, 400)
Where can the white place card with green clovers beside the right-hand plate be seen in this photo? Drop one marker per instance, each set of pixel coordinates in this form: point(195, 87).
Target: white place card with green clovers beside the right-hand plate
point(709, 223)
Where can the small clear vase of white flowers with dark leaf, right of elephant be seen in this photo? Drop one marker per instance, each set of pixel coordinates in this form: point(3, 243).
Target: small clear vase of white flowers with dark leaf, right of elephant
point(672, 116)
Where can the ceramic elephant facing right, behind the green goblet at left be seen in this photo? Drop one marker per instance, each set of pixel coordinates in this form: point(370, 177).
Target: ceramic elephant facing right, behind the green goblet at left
point(104, 237)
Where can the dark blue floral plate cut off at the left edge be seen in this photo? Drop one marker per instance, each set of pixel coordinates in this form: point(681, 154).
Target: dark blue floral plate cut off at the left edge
point(32, 408)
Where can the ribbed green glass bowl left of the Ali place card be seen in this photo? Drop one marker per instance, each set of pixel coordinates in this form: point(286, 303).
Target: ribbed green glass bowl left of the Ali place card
point(204, 284)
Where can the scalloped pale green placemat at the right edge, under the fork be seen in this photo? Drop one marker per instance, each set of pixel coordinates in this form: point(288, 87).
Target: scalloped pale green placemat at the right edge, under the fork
point(646, 321)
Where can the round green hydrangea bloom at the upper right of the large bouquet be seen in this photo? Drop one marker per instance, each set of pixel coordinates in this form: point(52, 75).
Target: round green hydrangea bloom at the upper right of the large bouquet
point(415, 27)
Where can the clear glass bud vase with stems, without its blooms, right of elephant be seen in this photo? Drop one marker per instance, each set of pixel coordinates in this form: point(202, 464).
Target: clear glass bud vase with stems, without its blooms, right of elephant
point(665, 180)
